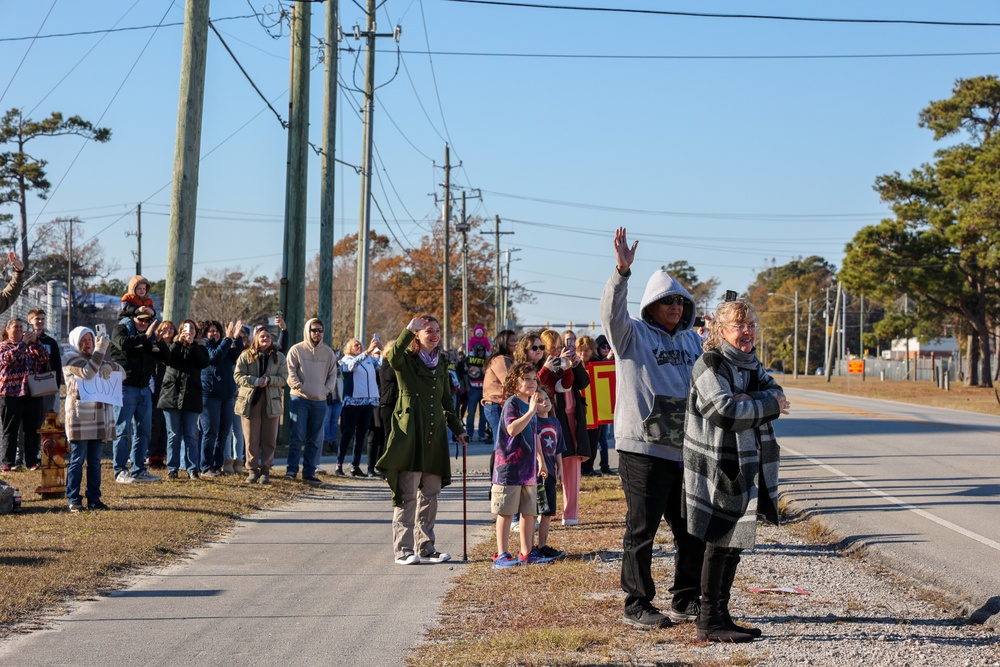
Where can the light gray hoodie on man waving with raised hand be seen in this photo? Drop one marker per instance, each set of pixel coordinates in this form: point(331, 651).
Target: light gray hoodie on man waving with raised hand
point(653, 367)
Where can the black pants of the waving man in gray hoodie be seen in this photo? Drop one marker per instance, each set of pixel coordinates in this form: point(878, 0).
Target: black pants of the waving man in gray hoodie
point(654, 491)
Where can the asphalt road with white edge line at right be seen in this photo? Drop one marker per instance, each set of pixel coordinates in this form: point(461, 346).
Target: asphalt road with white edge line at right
point(918, 487)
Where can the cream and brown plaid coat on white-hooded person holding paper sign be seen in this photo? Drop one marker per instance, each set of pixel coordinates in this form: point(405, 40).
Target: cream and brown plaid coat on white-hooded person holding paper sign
point(87, 420)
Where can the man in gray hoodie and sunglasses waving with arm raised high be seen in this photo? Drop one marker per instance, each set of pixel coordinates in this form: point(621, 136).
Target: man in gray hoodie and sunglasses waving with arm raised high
point(654, 356)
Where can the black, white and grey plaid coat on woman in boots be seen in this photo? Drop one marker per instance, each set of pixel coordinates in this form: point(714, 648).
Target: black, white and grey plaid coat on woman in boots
point(729, 447)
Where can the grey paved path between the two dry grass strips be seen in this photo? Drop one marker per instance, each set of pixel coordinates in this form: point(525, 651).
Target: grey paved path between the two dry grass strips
point(309, 584)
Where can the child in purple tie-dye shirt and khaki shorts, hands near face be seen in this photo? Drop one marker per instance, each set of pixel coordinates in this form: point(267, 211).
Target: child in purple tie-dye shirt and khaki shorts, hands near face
point(519, 461)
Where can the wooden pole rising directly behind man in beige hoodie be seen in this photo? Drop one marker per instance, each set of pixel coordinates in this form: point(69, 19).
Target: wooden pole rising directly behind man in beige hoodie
point(327, 176)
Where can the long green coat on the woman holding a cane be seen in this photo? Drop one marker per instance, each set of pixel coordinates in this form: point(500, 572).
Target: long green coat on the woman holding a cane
point(425, 409)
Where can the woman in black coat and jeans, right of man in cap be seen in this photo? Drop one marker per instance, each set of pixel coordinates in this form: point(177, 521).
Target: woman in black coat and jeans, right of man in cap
point(180, 399)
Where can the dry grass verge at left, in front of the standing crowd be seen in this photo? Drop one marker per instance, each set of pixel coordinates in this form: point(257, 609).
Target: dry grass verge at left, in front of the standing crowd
point(49, 556)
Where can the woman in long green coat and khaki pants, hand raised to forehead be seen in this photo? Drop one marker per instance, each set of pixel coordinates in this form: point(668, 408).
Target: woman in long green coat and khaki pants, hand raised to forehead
point(416, 462)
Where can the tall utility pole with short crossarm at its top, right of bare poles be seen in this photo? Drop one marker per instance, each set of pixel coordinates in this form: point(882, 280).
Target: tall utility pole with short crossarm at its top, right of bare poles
point(364, 224)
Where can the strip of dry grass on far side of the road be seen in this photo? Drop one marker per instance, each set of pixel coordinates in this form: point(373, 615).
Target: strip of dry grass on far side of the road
point(971, 399)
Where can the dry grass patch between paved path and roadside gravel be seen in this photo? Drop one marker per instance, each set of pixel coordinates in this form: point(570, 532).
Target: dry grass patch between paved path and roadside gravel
point(565, 613)
